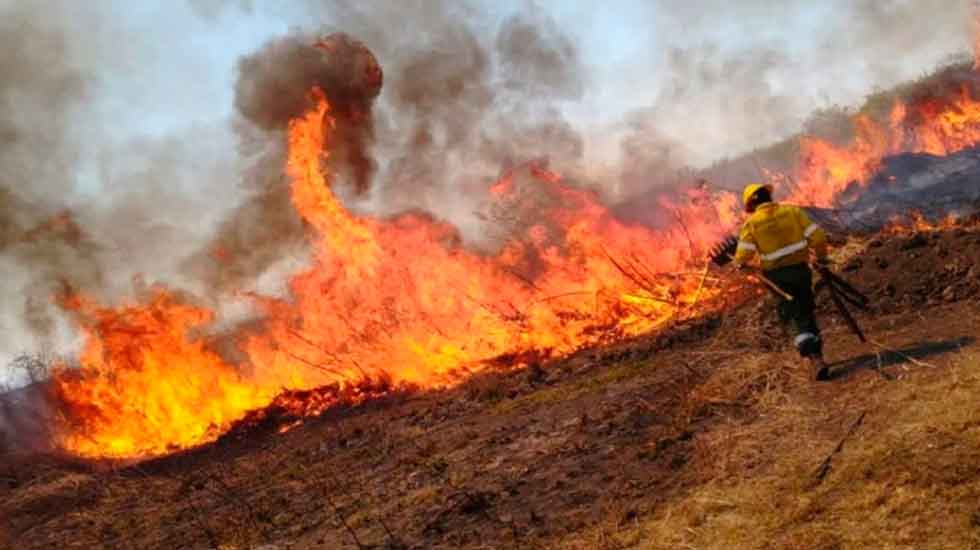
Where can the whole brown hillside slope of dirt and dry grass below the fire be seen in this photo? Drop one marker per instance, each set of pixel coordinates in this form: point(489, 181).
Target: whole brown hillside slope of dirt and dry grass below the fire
point(709, 437)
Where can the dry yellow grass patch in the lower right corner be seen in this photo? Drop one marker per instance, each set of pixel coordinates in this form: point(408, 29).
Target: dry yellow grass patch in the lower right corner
point(907, 477)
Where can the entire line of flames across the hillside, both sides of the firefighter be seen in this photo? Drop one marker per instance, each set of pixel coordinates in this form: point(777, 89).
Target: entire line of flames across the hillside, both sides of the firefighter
point(399, 302)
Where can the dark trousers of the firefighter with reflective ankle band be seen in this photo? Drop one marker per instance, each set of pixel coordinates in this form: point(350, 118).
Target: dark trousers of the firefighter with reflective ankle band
point(797, 281)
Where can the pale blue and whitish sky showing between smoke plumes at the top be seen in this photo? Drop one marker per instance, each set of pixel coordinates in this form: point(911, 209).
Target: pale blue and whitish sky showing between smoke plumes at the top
point(173, 64)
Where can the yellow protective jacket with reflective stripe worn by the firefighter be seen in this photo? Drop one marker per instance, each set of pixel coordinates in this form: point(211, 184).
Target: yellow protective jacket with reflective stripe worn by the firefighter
point(781, 234)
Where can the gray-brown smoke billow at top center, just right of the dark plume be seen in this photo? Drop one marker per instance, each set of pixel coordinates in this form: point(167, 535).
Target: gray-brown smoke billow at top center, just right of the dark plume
point(474, 105)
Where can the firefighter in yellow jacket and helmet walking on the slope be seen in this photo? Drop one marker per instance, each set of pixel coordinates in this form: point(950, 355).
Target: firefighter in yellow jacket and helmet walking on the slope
point(784, 236)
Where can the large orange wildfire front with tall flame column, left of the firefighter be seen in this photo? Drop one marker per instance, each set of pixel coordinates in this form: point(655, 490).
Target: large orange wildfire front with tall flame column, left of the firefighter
point(398, 300)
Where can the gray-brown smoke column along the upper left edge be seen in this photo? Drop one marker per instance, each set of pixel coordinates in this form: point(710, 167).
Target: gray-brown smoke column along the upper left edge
point(39, 241)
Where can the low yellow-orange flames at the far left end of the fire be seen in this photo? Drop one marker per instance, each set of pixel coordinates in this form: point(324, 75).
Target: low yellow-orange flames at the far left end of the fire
point(145, 387)
